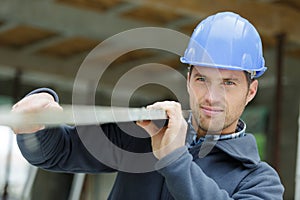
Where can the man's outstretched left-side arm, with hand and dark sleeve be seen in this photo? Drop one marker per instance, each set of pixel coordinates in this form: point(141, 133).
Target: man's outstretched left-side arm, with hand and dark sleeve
point(57, 149)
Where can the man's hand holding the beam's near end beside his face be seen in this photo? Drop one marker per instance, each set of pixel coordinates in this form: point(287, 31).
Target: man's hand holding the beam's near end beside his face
point(170, 137)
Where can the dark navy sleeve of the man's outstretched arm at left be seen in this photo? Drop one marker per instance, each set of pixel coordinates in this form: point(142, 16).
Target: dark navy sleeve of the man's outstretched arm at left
point(86, 149)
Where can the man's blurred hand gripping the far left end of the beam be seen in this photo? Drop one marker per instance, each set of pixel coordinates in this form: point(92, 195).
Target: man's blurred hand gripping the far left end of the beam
point(34, 103)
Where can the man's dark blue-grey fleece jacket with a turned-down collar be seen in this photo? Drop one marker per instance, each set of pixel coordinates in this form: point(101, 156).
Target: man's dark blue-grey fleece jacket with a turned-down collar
point(231, 169)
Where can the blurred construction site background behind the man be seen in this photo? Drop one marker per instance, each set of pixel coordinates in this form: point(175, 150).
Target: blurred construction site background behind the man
point(44, 42)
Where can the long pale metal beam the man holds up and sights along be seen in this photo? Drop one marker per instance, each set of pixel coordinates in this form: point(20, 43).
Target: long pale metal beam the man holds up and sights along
point(81, 115)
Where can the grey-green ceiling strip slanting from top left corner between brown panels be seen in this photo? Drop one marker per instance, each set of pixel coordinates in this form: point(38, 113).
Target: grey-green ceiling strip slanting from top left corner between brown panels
point(63, 19)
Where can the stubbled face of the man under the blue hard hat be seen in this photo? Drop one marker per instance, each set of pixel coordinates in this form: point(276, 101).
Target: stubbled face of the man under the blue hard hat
point(218, 98)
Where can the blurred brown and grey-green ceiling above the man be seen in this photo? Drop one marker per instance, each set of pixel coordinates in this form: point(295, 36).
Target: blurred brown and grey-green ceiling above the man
point(49, 39)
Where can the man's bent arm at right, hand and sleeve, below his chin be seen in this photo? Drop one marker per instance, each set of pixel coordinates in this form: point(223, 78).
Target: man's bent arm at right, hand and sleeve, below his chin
point(185, 179)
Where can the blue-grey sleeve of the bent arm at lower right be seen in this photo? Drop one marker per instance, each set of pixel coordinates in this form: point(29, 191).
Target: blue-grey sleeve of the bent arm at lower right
point(186, 180)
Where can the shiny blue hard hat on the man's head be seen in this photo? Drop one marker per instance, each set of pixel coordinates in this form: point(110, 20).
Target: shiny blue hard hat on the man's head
point(226, 41)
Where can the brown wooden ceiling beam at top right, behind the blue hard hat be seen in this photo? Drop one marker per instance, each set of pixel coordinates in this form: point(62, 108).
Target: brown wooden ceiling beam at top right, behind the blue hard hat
point(269, 18)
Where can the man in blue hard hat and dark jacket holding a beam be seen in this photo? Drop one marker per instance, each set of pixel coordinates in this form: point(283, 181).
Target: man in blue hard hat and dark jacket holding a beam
point(209, 156)
